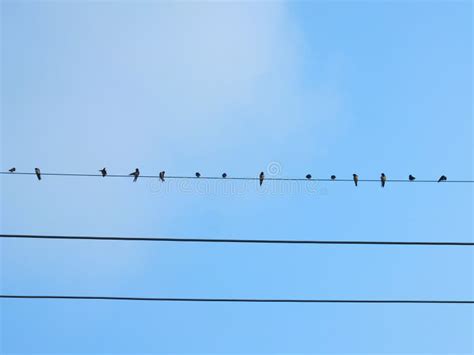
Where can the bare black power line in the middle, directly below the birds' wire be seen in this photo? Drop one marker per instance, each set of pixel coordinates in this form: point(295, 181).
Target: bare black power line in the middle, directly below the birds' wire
point(233, 240)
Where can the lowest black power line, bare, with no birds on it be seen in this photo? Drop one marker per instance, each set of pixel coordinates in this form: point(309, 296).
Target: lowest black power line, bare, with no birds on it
point(232, 300)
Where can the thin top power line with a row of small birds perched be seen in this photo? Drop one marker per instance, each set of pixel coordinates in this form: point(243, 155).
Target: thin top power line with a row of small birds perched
point(231, 178)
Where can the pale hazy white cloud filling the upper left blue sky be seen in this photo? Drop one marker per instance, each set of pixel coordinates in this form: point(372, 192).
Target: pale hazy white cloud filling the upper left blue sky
point(157, 85)
